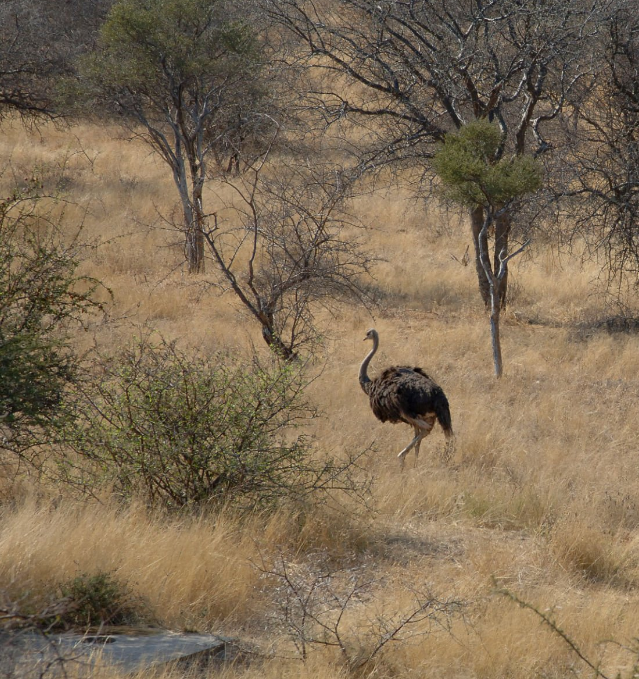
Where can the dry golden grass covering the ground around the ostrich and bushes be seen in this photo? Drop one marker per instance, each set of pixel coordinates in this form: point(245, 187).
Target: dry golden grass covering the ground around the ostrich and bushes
point(541, 496)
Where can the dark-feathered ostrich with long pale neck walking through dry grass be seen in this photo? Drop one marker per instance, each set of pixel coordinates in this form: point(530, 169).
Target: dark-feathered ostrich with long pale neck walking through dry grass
point(405, 394)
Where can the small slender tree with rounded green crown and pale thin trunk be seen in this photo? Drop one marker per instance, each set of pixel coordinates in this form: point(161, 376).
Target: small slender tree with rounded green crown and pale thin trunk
point(475, 176)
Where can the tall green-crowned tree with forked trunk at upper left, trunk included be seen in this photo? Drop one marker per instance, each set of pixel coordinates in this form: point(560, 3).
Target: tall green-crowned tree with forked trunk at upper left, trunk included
point(184, 76)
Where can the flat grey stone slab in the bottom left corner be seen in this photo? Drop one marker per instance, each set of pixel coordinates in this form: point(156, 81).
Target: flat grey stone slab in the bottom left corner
point(126, 652)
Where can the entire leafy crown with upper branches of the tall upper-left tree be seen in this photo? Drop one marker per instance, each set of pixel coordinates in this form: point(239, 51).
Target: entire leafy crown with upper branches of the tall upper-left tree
point(171, 65)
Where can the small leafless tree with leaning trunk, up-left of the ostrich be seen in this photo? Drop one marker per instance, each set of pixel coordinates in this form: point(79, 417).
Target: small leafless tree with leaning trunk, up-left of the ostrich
point(285, 244)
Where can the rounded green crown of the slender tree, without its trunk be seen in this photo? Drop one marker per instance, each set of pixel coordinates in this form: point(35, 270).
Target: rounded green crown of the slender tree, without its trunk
point(472, 174)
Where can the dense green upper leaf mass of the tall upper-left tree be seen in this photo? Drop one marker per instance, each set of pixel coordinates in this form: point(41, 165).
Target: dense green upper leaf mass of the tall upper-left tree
point(147, 47)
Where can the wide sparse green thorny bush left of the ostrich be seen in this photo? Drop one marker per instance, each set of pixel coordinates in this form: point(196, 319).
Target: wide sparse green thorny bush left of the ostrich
point(181, 429)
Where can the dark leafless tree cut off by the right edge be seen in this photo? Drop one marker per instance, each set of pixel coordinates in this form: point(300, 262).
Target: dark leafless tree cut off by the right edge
point(603, 188)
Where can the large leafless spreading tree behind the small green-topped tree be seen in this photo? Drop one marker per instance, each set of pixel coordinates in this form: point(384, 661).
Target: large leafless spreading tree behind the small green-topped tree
point(422, 68)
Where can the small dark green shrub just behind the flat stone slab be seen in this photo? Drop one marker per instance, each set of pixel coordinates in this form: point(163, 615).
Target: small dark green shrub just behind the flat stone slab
point(95, 600)
